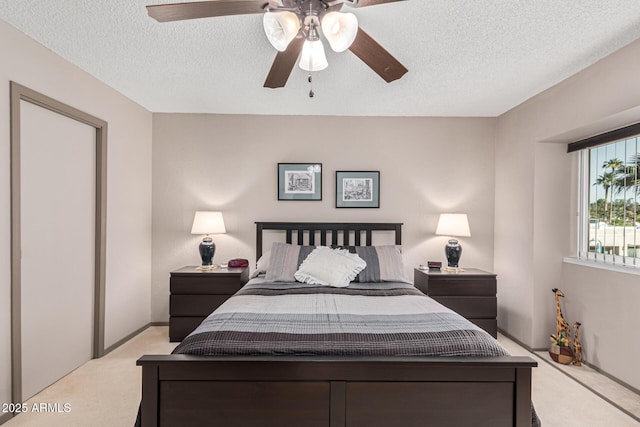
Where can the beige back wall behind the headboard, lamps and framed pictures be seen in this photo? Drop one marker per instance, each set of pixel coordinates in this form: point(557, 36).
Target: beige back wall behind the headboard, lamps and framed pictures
point(229, 163)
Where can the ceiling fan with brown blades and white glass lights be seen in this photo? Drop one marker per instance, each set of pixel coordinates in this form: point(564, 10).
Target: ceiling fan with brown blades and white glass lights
point(293, 27)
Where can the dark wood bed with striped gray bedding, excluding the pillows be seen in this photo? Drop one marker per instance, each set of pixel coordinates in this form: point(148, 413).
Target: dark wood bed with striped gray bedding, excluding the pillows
point(258, 379)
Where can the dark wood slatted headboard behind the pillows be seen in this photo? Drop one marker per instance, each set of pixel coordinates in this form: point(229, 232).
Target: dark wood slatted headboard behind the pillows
point(334, 229)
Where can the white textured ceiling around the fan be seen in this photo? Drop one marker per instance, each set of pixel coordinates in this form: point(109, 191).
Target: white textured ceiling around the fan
point(465, 57)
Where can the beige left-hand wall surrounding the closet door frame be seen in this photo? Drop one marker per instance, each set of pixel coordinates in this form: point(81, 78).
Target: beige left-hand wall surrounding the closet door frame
point(128, 184)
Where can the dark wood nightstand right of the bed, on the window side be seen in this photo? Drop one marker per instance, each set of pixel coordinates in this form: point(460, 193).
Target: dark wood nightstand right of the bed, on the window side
point(470, 293)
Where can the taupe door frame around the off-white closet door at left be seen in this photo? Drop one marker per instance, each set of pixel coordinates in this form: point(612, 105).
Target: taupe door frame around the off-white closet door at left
point(22, 93)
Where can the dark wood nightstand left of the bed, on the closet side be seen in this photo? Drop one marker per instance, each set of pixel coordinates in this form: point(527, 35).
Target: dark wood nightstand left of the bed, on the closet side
point(195, 294)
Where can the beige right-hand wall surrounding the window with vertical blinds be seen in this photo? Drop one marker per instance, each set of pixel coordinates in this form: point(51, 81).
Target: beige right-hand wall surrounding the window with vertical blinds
point(535, 210)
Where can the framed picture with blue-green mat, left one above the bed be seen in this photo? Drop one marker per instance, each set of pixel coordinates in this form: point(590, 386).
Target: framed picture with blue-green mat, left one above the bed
point(299, 181)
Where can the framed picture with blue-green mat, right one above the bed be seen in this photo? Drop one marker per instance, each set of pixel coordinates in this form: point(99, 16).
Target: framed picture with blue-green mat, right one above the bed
point(357, 189)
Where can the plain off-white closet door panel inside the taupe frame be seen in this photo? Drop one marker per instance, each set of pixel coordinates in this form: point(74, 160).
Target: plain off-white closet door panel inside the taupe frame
point(57, 221)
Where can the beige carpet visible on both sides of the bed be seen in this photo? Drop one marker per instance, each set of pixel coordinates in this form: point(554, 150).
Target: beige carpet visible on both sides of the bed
point(106, 392)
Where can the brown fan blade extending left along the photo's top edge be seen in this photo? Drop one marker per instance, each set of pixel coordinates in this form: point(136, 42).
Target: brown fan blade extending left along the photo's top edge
point(204, 9)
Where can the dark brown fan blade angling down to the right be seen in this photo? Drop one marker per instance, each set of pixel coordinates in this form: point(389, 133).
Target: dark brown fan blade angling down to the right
point(377, 57)
